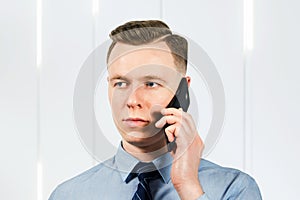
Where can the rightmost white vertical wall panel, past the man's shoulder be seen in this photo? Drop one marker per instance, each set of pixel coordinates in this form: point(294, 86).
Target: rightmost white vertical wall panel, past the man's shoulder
point(275, 85)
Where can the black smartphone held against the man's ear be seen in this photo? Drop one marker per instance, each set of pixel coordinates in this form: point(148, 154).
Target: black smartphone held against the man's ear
point(181, 99)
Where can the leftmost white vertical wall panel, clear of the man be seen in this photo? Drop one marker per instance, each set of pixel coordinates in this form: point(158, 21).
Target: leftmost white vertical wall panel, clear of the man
point(18, 100)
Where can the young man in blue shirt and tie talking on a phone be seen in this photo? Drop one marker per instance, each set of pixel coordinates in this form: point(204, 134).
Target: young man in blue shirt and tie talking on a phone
point(160, 153)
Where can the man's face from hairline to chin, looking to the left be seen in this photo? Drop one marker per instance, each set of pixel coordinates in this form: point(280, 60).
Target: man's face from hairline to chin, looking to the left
point(142, 81)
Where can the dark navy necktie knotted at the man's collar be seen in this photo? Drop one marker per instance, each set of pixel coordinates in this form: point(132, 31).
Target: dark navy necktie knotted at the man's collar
point(145, 173)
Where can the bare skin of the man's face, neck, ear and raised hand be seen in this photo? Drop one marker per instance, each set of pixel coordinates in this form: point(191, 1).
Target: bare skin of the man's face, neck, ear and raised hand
point(142, 81)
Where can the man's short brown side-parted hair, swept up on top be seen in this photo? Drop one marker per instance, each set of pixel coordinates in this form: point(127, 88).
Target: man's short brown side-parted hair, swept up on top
point(149, 31)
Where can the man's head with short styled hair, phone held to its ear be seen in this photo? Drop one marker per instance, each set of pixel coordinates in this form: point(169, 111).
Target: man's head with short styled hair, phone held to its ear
point(145, 64)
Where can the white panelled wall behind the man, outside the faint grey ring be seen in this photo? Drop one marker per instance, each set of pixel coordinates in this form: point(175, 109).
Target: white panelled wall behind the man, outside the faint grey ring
point(36, 105)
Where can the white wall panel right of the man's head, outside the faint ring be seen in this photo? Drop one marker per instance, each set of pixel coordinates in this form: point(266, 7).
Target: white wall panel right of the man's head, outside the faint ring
point(217, 27)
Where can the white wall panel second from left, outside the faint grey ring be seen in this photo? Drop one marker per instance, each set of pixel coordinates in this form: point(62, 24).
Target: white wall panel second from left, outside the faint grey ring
point(67, 41)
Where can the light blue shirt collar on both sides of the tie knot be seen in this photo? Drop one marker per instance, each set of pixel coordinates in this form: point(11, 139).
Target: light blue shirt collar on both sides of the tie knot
point(126, 163)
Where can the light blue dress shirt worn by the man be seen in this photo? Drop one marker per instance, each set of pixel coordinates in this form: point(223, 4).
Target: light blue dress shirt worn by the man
point(107, 181)
